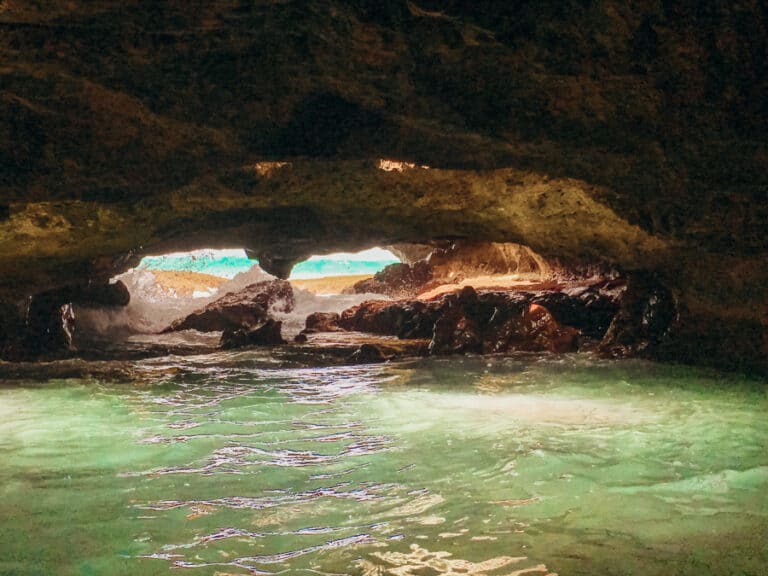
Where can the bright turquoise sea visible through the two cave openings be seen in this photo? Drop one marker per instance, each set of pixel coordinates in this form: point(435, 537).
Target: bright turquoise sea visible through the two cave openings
point(228, 266)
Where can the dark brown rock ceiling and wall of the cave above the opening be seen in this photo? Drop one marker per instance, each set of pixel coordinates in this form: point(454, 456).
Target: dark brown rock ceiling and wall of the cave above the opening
point(629, 133)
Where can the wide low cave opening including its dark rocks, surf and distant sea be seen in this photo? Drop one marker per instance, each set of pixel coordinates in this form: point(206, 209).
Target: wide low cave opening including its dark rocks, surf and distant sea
point(446, 297)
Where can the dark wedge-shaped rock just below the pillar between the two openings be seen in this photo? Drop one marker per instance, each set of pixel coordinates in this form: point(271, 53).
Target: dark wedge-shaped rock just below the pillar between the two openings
point(244, 309)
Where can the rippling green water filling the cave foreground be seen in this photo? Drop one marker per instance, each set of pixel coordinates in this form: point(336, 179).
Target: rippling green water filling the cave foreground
point(235, 464)
